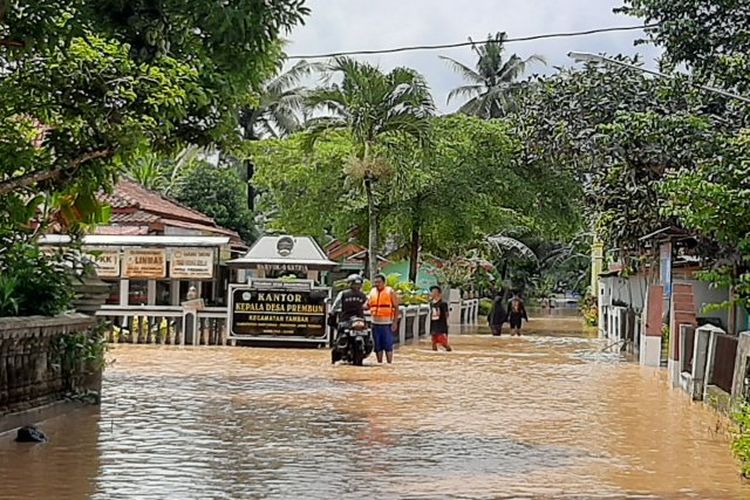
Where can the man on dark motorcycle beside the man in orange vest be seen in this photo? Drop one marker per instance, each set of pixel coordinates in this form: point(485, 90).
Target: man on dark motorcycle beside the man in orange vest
point(348, 308)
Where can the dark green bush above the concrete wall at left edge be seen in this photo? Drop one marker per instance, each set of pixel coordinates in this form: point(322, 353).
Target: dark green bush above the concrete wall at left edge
point(33, 283)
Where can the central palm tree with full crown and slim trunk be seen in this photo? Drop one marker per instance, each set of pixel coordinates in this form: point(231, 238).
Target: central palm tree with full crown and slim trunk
point(371, 105)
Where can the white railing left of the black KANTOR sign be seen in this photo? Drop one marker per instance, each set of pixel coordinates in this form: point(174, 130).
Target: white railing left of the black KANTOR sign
point(167, 325)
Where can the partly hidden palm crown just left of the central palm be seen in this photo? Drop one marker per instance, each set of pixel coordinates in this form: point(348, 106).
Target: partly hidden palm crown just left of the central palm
point(281, 106)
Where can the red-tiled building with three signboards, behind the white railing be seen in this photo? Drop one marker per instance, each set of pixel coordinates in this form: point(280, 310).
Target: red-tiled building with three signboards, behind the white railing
point(154, 249)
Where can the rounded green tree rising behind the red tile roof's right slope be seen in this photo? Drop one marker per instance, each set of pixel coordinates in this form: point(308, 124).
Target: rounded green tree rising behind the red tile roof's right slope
point(220, 194)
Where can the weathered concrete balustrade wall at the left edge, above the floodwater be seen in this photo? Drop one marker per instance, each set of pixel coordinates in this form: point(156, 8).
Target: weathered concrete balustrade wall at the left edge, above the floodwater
point(30, 371)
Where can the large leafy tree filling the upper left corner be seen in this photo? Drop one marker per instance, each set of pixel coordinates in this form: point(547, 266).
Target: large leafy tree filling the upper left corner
point(89, 80)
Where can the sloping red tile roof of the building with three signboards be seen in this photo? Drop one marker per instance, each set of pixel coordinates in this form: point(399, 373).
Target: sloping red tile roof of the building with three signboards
point(135, 208)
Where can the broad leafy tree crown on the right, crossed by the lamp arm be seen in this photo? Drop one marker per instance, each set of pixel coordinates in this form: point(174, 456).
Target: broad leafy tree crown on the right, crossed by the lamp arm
point(616, 133)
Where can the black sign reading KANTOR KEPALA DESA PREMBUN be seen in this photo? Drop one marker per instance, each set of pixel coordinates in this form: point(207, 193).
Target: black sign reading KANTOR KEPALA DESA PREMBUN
point(278, 313)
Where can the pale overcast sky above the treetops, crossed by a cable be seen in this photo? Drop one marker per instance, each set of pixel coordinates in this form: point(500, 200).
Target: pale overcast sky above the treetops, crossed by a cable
point(337, 25)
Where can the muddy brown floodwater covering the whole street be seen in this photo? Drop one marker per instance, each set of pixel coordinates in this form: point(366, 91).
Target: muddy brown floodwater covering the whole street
point(546, 415)
